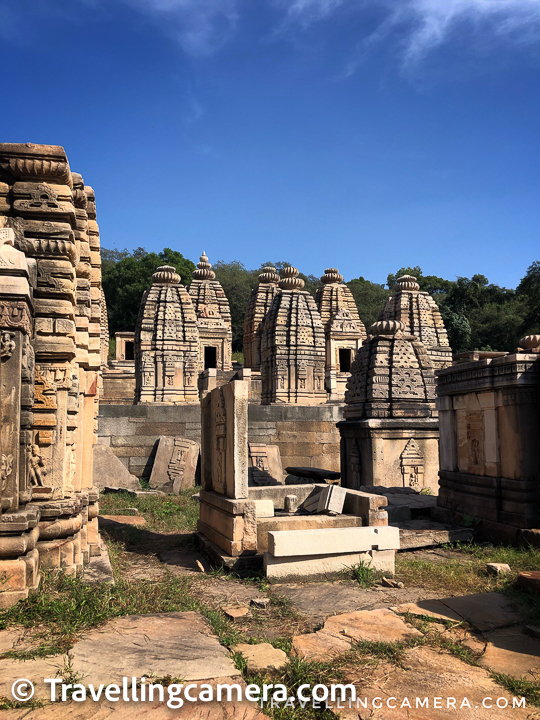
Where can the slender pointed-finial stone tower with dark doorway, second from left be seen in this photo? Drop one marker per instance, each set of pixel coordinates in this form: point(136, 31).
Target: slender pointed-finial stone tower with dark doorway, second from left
point(213, 318)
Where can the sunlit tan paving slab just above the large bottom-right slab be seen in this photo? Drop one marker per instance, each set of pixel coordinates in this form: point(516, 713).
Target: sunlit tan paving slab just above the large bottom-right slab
point(372, 625)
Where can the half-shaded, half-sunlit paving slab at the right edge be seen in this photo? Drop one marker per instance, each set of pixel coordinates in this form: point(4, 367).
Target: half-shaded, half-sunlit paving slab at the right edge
point(512, 652)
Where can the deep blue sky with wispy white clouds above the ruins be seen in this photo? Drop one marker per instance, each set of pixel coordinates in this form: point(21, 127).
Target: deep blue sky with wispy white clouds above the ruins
point(360, 134)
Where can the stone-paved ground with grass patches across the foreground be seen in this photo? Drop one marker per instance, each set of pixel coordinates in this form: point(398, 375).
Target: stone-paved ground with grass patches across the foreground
point(452, 631)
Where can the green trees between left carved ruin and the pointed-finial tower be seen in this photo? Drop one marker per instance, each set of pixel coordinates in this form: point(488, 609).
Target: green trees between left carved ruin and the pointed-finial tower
point(126, 279)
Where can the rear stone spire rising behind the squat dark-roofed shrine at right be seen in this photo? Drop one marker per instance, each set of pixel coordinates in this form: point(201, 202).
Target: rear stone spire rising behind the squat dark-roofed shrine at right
point(420, 316)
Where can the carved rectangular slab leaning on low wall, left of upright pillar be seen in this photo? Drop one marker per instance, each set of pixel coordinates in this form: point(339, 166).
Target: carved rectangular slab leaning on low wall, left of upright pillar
point(175, 464)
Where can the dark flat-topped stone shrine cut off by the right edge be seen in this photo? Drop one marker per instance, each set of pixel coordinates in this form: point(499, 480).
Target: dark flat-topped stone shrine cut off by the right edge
point(489, 411)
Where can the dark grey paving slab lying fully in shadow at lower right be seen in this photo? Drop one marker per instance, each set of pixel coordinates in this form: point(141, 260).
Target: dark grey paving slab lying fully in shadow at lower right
point(485, 611)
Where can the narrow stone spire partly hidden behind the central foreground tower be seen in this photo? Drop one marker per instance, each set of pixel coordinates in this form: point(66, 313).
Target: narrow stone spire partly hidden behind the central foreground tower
point(258, 306)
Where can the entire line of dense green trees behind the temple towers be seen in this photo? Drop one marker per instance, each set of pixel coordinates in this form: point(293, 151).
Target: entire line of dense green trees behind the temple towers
point(477, 314)
